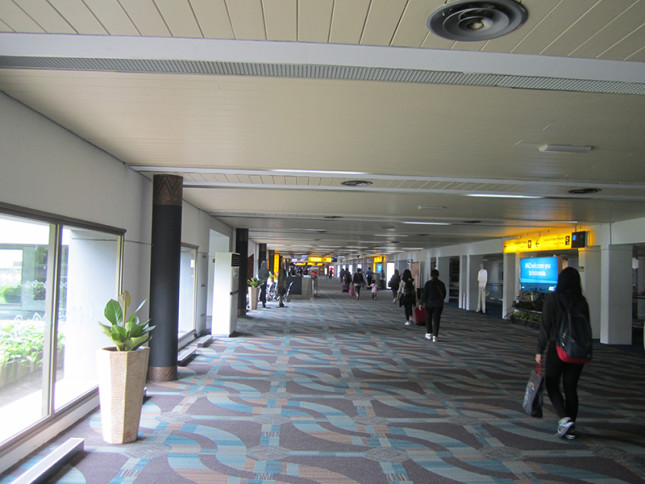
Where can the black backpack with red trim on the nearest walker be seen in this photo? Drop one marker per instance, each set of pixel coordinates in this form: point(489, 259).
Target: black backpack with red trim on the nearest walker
point(574, 340)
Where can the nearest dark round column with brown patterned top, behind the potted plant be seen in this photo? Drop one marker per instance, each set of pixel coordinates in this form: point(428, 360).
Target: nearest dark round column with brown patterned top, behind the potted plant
point(164, 276)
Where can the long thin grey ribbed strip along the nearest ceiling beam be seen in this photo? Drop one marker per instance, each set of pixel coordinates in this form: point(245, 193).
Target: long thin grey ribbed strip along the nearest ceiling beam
point(309, 71)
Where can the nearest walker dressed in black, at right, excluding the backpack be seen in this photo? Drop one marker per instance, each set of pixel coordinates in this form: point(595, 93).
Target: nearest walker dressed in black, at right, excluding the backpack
point(557, 371)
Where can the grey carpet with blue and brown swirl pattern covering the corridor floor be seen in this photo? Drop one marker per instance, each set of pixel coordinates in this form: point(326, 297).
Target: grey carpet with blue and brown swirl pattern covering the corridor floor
point(334, 390)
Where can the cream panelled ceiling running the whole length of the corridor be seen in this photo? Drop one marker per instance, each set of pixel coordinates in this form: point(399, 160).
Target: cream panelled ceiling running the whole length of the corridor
point(347, 127)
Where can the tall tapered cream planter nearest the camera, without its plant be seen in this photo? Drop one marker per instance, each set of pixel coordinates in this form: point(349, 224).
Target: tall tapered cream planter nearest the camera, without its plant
point(122, 378)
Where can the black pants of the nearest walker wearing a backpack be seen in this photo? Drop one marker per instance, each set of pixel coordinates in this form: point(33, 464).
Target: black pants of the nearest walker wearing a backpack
point(556, 370)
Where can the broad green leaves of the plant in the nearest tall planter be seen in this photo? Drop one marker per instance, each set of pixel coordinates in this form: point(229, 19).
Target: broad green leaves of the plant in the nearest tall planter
point(127, 333)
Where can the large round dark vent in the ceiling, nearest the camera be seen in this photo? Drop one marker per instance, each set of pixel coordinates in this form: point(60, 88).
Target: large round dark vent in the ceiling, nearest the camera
point(473, 20)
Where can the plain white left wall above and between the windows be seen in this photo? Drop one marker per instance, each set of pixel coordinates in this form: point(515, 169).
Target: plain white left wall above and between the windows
point(49, 169)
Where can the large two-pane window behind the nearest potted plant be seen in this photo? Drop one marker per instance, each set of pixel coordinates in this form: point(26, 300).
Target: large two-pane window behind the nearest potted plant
point(54, 283)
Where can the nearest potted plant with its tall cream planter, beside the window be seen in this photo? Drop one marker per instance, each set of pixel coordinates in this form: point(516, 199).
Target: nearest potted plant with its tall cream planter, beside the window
point(122, 370)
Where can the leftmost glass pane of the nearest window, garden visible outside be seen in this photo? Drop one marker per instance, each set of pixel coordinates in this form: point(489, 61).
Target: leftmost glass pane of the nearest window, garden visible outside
point(24, 323)
